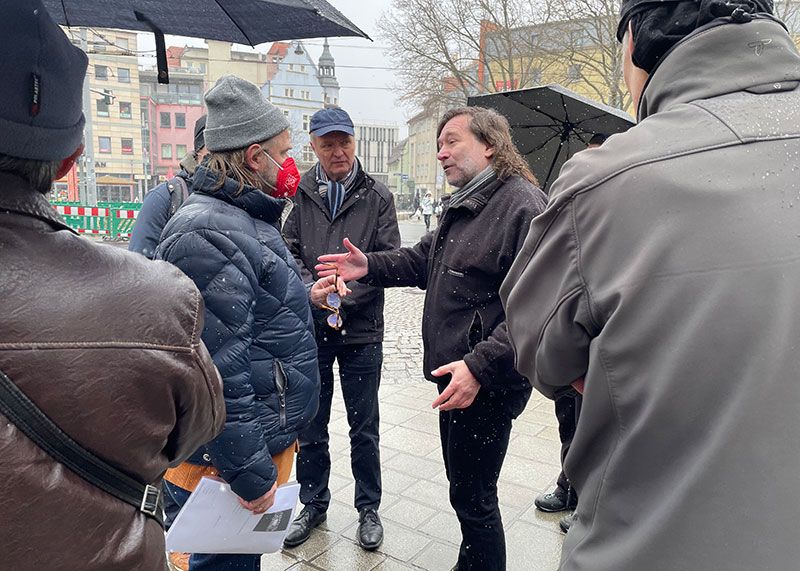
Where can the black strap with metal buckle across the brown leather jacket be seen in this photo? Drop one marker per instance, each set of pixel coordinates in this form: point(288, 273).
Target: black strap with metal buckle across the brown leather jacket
point(37, 426)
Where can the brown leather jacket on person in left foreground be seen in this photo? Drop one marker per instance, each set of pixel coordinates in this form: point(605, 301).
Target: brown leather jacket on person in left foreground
point(107, 343)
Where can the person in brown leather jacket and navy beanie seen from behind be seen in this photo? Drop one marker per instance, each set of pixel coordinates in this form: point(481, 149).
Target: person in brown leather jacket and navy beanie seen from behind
point(104, 342)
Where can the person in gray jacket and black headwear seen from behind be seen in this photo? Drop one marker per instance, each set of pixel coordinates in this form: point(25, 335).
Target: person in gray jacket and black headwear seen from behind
point(663, 282)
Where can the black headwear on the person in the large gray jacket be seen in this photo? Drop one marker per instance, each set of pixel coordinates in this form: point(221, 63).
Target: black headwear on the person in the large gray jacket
point(660, 24)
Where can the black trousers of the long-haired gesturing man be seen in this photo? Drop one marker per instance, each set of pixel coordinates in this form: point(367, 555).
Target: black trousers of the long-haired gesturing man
point(474, 444)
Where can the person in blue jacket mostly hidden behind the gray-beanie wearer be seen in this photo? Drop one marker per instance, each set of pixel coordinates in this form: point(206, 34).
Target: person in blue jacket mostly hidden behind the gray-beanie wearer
point(162, 202)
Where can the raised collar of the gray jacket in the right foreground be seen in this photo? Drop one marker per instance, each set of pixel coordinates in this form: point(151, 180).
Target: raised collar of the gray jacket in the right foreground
point(723, 58)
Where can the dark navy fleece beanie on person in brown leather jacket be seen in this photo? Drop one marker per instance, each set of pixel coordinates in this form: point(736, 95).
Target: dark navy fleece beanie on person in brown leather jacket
point(41, 74)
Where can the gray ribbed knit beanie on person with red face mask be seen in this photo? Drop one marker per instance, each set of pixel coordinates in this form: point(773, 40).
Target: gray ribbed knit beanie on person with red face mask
point(239, 115)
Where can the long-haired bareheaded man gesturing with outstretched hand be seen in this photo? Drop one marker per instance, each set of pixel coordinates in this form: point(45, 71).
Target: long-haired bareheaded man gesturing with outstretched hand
point(461, 266)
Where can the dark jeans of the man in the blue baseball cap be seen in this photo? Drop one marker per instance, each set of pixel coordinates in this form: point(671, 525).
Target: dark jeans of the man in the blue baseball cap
point(360, 376)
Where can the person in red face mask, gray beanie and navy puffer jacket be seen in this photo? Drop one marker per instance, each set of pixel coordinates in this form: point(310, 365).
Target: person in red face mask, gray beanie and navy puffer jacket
point(258, 324)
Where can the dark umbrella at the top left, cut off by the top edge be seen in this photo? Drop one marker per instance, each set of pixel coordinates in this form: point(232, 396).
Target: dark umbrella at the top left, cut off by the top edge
point(250, 22)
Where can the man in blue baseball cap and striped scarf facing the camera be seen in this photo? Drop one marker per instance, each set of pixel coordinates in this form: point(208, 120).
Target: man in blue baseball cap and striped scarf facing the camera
point(337, 198)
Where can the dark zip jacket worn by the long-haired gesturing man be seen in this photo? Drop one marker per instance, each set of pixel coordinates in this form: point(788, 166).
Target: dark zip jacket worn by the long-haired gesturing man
point(461, 264)
